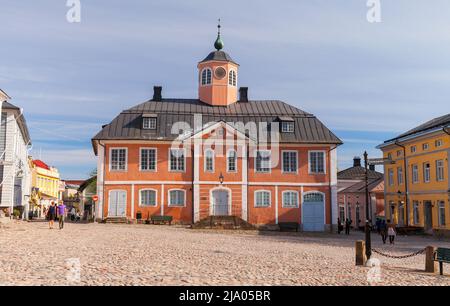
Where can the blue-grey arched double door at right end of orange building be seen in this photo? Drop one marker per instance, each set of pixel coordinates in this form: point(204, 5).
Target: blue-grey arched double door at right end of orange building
point(313, 212)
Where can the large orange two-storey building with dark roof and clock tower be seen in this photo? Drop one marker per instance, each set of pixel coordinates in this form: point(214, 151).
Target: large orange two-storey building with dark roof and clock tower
point(218, 155)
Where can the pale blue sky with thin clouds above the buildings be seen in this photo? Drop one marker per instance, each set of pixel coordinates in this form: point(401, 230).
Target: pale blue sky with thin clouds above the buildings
point(365, 81)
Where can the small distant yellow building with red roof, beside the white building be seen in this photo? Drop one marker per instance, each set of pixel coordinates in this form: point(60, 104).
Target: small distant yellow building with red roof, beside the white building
point(45, 185)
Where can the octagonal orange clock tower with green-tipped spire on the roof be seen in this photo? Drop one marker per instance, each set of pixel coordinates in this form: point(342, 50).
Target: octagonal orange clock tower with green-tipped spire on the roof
point(218, 75)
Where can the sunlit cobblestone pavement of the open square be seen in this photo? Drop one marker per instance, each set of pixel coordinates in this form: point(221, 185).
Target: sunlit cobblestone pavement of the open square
point(31, 254)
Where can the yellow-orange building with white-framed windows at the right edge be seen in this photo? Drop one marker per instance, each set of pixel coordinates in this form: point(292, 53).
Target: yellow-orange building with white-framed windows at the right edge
point(419, 196)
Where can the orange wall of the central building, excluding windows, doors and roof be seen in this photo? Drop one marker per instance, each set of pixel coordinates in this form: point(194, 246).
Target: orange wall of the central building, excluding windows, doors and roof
point(242, 193)
